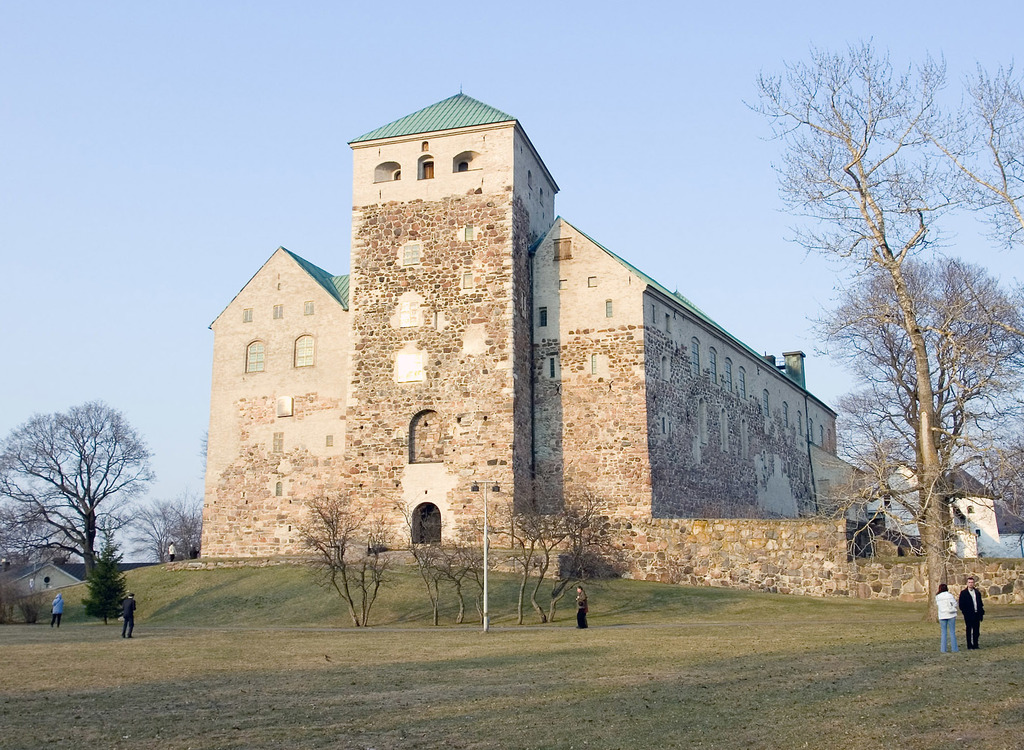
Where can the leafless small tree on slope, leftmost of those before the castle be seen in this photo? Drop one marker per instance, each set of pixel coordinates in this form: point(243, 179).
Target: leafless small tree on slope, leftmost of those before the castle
point(351, 553)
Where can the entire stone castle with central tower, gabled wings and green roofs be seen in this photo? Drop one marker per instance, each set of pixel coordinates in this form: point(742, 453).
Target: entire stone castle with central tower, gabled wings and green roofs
point(480, 340)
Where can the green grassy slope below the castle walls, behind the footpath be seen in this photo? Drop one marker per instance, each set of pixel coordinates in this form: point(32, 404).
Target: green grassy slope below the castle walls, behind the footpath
point(289, 597)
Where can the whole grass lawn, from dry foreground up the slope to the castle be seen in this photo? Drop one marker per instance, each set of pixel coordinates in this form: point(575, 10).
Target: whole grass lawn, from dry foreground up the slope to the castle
point(261, 658)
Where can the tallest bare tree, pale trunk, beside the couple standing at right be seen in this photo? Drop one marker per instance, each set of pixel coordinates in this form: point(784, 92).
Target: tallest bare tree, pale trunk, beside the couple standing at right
point(860, 164)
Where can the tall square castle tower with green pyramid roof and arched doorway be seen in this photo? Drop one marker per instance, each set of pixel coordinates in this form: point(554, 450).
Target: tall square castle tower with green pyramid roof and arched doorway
point(447, 203)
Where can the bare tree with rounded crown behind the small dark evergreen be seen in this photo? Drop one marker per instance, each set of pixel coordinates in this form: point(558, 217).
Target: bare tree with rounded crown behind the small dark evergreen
point(72, 473)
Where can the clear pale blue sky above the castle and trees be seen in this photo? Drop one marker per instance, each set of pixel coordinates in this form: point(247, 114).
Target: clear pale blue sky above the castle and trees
point(155, 154)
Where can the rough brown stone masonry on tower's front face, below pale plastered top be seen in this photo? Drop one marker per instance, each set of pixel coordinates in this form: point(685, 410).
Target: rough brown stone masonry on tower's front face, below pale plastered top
point(462, 328)
